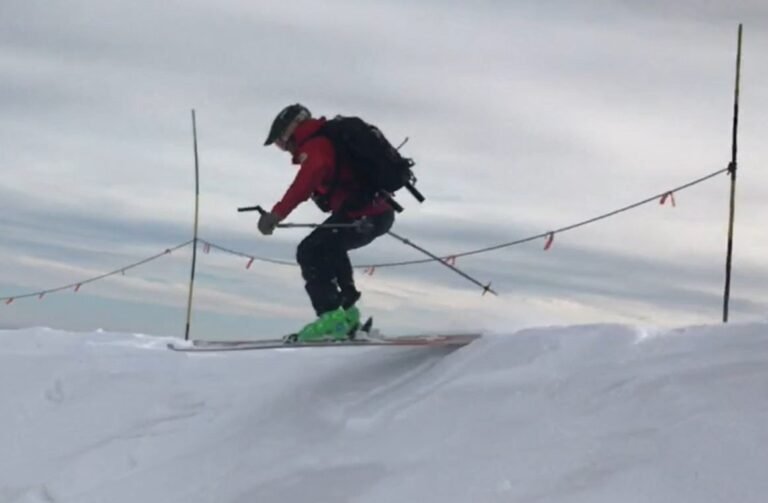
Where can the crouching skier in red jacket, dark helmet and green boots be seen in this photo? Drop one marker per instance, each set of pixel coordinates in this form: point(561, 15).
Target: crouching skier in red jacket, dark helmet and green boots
point(323, 254)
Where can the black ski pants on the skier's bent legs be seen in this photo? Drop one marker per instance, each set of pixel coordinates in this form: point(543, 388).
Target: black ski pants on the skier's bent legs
point(325, 265)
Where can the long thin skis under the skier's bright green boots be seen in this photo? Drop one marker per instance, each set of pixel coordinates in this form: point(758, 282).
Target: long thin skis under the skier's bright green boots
point(370, 340)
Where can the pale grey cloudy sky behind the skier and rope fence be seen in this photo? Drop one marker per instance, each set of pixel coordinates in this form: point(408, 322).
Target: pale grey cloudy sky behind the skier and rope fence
point(522, 117)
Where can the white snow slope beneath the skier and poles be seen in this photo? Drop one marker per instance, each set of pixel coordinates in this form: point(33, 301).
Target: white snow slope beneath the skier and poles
point(599, 413)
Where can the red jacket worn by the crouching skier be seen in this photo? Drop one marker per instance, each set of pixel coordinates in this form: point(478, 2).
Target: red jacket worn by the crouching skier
point(318, 160)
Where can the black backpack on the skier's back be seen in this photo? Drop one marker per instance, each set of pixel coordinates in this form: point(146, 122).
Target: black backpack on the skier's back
point(378, 166)
